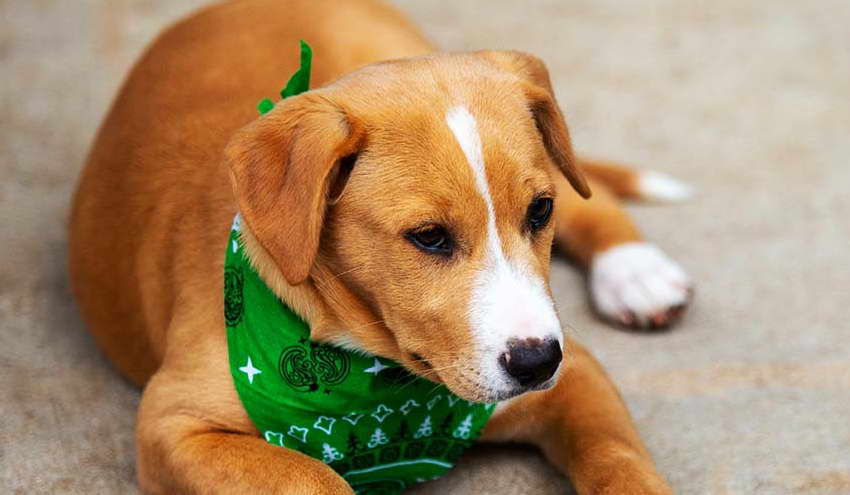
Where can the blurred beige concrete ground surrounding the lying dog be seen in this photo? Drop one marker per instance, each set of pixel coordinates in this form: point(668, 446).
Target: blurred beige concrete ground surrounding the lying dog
point(748, 100)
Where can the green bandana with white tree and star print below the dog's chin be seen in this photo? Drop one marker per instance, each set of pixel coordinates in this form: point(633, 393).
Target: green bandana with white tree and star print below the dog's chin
point(378, 426)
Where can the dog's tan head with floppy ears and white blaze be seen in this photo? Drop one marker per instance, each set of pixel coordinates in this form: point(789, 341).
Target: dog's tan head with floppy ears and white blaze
point(418, 192)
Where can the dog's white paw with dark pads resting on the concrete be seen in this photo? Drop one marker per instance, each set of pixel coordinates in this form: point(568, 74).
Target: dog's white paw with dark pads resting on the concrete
point(637, 285)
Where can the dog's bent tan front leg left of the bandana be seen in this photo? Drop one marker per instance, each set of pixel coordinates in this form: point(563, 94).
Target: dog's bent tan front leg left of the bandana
point(184, 447)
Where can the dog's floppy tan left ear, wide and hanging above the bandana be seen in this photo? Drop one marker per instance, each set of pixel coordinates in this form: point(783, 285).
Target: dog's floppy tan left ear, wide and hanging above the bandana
point(285, 167)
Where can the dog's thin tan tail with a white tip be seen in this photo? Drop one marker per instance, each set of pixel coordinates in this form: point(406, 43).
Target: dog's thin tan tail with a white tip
point(629, 183)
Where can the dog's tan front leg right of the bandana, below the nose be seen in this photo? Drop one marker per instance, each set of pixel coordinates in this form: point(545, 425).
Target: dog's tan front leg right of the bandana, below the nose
point(583, 427)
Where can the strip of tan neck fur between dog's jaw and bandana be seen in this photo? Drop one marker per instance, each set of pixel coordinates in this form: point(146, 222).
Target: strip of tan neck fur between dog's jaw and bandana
point(335, 314)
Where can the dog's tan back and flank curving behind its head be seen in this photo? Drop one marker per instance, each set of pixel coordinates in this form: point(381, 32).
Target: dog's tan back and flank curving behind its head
point(156, 168)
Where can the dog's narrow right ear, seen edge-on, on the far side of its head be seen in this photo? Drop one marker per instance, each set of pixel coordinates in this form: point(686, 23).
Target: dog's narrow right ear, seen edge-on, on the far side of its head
point(547, 115)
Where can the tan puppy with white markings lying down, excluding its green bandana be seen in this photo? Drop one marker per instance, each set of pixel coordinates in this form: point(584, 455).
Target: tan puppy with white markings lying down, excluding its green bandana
point(404, 209)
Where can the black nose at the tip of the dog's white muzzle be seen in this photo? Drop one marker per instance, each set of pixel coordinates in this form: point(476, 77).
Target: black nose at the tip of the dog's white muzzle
point(531, 361)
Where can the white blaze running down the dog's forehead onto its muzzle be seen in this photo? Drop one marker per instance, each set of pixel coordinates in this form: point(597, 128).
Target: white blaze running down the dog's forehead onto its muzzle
point(509, 300)
